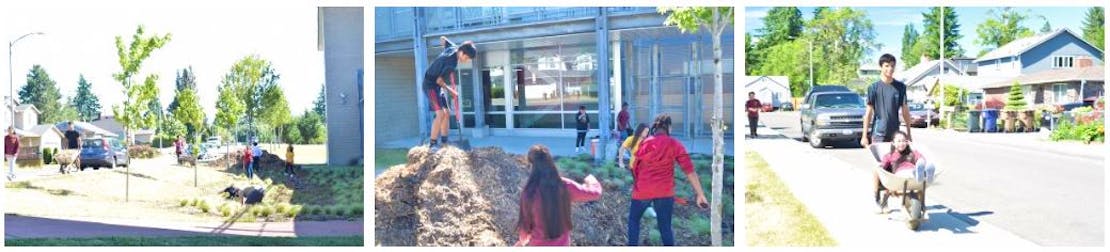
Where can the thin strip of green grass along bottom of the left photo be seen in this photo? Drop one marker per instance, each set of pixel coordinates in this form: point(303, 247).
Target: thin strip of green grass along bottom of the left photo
point(190, 241)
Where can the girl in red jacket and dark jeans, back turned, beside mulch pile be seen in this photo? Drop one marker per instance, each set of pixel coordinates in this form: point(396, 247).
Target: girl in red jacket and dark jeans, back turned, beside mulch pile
point(654, 180)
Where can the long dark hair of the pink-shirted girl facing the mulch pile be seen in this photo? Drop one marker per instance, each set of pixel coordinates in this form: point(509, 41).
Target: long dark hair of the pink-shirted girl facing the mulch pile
point(554, 200)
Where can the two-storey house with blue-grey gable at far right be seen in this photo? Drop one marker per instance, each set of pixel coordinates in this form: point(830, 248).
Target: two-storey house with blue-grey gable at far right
point(1054, 68)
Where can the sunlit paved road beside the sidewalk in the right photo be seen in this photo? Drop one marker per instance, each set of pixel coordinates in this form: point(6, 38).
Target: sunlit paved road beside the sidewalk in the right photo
point(1035, 190)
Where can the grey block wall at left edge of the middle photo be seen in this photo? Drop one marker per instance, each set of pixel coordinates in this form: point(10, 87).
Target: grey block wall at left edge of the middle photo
point(396, 98)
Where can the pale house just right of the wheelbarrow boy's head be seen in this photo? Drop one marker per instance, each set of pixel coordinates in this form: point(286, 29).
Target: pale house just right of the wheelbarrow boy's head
point(923, 78)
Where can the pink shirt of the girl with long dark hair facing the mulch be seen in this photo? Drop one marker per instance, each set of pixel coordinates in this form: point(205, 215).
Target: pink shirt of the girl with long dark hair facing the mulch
point(590, 191)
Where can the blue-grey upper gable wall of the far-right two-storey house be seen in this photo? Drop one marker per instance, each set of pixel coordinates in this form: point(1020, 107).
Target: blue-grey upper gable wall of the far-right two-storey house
point(1041, 58)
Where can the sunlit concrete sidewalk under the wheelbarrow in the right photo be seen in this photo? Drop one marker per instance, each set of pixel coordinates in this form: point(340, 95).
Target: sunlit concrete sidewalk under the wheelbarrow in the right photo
point(840, 197)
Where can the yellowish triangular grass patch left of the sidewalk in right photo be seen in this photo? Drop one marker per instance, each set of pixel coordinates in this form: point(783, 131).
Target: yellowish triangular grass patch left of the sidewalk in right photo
point(774, 217)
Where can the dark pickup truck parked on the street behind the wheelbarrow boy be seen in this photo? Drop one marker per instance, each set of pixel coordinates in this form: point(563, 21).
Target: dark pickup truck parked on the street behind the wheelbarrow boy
point(832, 116)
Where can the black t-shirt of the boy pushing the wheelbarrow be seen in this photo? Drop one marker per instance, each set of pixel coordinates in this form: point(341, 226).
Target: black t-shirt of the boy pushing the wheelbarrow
point(887, 102)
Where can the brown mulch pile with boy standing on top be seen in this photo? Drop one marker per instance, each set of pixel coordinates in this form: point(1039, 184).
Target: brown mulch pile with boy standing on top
point(462, 199)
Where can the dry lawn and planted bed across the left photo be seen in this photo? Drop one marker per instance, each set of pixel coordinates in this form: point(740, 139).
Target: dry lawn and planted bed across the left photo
point(162, 190)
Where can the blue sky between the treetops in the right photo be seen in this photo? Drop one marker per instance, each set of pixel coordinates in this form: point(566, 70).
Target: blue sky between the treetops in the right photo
point(890, 23)
